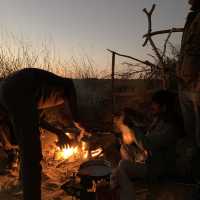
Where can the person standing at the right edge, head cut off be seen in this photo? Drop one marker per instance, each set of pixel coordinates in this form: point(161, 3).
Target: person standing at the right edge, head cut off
point(188, 72)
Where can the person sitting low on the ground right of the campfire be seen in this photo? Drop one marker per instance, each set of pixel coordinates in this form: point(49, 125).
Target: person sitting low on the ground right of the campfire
point(149, 155)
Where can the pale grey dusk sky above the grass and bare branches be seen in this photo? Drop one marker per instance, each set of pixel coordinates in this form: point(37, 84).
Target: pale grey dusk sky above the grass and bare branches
point(80, 27)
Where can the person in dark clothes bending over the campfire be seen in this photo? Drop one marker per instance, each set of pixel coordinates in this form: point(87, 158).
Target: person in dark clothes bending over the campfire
point(22, 95)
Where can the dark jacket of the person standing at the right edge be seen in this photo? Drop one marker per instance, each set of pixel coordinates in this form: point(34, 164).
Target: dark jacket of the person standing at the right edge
point(189, 63)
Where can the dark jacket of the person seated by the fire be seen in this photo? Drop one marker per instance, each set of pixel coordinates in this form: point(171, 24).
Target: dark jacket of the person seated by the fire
point(160, 141)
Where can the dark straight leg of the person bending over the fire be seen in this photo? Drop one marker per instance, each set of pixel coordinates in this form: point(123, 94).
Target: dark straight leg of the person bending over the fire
point(26, 129)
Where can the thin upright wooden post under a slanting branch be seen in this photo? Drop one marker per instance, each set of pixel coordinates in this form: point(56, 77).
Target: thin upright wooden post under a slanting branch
point(113, 86)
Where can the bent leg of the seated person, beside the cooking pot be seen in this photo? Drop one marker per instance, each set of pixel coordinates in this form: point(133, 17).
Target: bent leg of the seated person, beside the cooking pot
point(123, 178)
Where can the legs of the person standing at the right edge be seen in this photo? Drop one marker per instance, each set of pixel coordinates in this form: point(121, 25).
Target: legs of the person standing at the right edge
point(189, 153)
